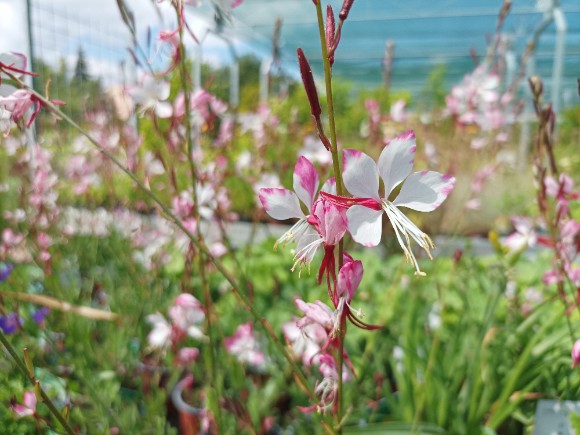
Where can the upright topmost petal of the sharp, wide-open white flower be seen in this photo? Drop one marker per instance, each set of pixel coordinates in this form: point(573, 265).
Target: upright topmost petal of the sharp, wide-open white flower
point(396, 160)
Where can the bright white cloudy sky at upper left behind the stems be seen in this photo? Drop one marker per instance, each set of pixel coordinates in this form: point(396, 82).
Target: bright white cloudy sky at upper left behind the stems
point(61, 27)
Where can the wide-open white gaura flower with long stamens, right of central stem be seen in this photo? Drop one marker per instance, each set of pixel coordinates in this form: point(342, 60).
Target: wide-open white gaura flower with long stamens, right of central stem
point(422, 191)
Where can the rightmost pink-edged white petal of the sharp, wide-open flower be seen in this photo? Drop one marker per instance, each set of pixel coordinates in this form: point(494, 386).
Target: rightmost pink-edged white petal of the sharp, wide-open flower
point(425, 191)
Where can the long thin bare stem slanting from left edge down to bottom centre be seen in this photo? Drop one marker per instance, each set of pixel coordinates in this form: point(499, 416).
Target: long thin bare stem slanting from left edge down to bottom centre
point(200, 244)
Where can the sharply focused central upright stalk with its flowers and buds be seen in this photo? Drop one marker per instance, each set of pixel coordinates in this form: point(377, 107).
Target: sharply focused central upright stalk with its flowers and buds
point(350, 202)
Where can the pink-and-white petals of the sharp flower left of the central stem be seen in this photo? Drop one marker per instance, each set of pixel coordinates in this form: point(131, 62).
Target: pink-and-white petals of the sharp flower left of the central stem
point(282, 204)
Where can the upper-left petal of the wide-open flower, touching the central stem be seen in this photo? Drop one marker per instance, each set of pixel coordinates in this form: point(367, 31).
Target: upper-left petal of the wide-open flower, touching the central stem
point(360, 174)
